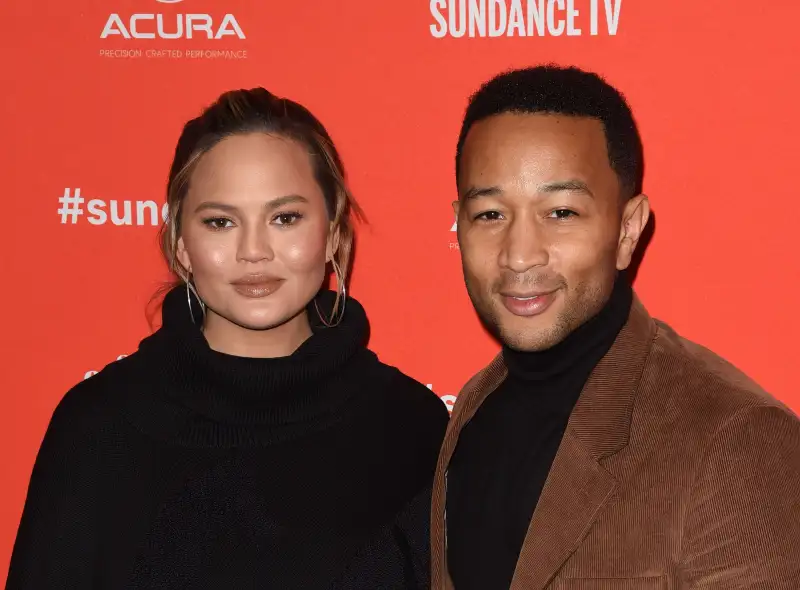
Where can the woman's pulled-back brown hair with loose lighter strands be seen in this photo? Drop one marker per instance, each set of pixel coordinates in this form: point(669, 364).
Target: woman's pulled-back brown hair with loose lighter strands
point(259, 111)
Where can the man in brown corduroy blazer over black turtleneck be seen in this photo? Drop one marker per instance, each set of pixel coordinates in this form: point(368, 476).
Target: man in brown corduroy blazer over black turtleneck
point(600, 449)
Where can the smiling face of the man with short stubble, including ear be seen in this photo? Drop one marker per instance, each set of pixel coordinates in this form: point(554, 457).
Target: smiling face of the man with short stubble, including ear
point(542, 226)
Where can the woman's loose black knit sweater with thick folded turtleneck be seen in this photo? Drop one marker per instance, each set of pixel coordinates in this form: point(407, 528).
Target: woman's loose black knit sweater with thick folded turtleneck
point(182, 467)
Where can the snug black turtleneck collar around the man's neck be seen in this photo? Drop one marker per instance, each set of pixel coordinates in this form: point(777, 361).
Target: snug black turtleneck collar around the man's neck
point(582, 348)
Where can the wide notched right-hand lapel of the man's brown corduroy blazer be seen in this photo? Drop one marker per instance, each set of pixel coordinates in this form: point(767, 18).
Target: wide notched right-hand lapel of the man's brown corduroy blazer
point(578, 486)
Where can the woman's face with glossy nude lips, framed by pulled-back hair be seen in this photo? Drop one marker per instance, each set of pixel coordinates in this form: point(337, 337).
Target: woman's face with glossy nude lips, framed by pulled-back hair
point(255, 234)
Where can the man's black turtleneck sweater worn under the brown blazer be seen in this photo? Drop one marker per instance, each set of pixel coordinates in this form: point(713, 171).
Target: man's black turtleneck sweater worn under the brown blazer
point(505, 452)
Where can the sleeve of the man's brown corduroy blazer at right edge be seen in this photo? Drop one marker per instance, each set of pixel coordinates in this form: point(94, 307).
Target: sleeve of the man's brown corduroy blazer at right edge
point(742, 528)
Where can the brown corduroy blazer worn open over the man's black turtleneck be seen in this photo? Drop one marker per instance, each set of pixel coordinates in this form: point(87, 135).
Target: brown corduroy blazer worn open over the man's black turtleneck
point(675, 471)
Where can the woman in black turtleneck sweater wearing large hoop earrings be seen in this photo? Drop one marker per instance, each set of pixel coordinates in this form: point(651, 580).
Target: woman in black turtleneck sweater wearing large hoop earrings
point(253, 441)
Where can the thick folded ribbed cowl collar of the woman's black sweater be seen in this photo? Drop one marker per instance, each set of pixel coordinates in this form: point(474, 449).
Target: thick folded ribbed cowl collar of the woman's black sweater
point(213, 398)
